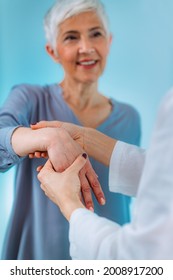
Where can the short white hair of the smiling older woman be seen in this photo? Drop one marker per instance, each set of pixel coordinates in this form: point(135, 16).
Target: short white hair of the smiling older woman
point(64, 9)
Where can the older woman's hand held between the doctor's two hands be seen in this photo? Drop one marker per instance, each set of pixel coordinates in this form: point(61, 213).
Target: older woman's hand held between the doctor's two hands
point(62, 151)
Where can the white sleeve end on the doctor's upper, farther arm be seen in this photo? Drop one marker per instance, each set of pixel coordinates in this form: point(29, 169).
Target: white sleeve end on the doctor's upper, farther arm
point(125, 169)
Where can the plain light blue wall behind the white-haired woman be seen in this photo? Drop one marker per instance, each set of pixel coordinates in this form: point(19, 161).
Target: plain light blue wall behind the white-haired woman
point(139, 69)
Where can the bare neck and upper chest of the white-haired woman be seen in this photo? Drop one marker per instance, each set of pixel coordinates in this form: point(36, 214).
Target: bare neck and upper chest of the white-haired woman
point(89, 106)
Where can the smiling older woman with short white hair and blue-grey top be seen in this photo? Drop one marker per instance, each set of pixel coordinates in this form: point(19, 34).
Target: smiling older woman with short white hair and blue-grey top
point(78, 39)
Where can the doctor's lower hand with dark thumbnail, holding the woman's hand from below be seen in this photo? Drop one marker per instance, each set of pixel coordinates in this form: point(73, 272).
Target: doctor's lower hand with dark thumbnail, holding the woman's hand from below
point(63, 188)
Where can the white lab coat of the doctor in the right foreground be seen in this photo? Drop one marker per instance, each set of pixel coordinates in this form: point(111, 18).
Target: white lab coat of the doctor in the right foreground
point(150, 233)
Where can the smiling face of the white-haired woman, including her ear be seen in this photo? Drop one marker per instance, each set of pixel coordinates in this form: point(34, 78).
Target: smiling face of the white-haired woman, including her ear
point(82, 47)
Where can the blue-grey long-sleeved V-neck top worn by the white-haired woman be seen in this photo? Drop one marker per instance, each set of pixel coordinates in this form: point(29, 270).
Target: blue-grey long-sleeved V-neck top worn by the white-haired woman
point(37, 229)
